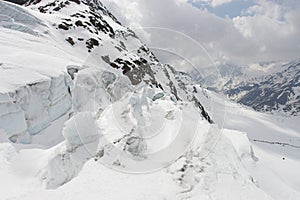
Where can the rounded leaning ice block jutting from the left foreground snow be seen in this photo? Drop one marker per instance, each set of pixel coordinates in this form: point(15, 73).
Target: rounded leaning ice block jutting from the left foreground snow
point(81, 138)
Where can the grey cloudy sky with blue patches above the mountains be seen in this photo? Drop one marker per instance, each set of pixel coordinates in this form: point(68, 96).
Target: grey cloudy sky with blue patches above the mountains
point(214, 32)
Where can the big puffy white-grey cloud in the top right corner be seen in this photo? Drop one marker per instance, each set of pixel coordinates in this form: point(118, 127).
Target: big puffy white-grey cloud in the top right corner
point(273, 27)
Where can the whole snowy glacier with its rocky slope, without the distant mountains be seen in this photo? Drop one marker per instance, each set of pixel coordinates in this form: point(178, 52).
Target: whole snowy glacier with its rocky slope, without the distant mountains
point(88, 111)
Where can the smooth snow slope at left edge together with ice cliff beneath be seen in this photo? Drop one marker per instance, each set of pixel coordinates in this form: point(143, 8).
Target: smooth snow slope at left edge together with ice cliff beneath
point(34, 89)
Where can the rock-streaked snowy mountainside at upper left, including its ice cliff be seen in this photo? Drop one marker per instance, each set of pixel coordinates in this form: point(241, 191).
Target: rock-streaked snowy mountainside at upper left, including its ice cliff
point(55, 40)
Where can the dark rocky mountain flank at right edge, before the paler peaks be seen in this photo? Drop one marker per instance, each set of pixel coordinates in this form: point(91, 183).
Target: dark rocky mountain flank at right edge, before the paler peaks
point(278, 91)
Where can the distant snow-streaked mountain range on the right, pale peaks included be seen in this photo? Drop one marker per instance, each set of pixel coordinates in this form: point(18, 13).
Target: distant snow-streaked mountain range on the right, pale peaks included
point(265, 87)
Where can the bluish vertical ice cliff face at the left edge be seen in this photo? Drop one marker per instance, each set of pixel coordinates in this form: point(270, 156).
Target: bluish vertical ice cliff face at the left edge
point(30, 108)
